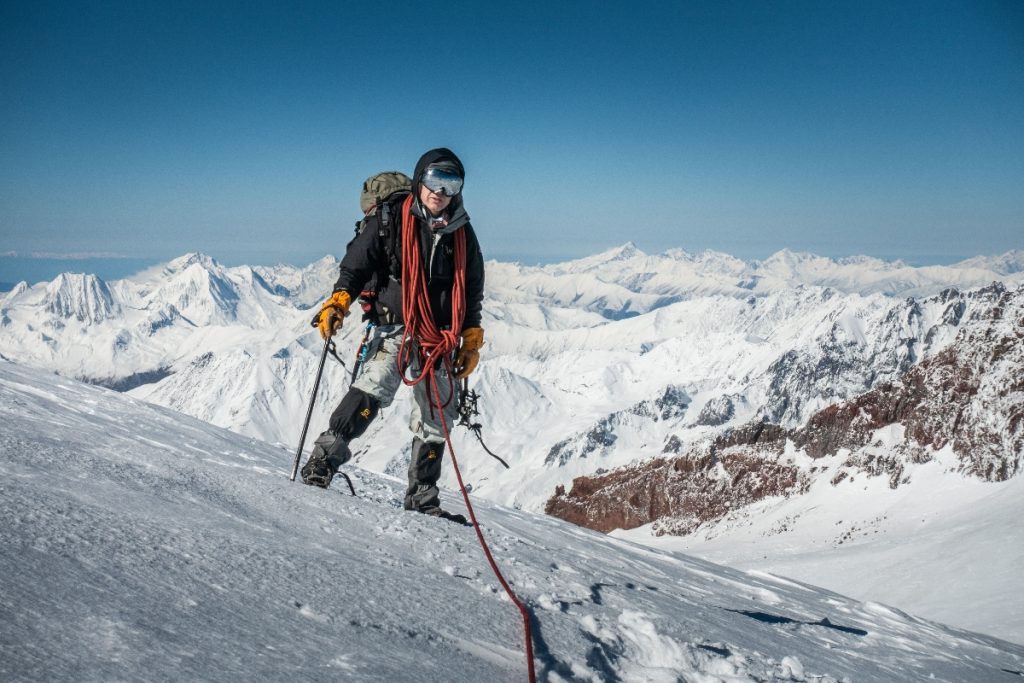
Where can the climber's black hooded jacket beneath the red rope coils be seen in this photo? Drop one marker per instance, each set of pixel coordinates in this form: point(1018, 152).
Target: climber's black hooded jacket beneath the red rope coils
point(368, 255)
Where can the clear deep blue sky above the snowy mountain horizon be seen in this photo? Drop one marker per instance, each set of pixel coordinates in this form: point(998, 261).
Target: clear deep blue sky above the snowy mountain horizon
point(244, 131)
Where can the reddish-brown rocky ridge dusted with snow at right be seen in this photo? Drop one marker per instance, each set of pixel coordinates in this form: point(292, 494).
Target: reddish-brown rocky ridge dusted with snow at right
point(968, 397)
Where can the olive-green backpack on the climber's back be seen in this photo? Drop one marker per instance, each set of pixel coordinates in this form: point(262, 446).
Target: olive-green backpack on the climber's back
point(381, 193)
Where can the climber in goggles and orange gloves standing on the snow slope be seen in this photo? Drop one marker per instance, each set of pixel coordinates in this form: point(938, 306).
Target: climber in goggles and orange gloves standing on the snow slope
point(435, 218)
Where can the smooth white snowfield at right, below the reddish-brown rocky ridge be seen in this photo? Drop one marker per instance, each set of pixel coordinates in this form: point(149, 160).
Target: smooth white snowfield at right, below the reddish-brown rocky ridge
point(944, 546)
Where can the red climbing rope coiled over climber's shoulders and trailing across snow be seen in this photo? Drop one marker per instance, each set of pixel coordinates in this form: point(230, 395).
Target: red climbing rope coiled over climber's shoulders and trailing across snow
point(434, 348)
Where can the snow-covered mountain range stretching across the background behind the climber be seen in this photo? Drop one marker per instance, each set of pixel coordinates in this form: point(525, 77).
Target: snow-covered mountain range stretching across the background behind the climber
point(619, 361)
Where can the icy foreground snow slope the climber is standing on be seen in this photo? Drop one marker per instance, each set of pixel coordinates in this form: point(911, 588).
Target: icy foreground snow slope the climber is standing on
point(140, 544)
